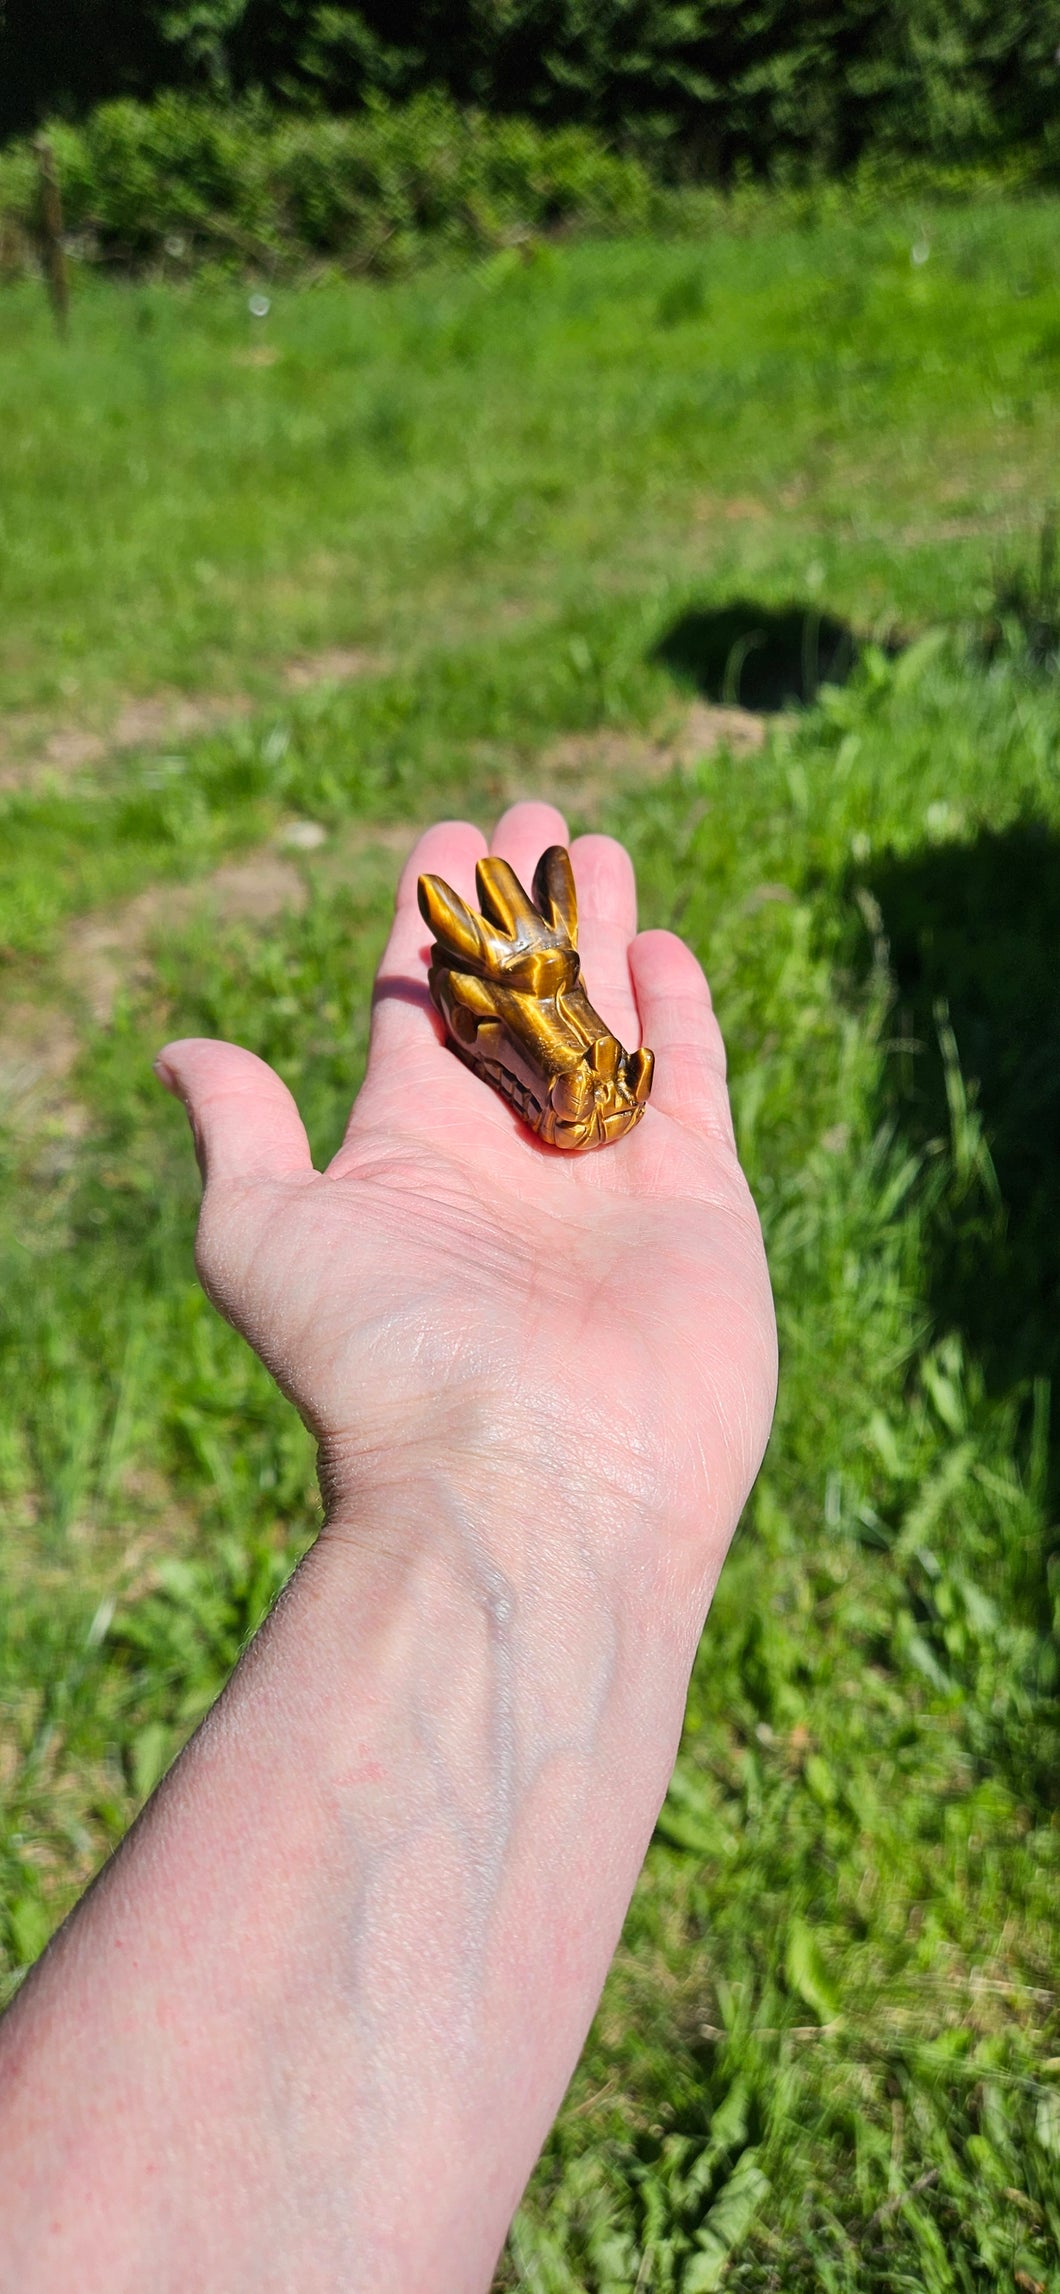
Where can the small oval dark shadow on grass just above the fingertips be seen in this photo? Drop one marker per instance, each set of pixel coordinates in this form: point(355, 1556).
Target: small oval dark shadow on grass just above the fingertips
point(758, 657)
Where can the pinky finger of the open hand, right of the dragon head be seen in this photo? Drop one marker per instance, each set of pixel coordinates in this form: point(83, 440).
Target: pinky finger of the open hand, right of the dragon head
point(680, 1027)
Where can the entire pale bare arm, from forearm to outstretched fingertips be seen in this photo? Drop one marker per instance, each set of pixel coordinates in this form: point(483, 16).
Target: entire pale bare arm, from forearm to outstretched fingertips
point(311, 2027)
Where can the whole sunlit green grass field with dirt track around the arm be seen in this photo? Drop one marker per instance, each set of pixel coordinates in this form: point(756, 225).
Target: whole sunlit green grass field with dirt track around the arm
point(591, 522)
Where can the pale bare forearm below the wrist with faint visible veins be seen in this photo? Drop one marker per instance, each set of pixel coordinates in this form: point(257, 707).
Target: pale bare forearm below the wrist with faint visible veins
point(313, 2024)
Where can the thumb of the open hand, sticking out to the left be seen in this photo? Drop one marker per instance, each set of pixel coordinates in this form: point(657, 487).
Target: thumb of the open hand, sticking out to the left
point(244, 1121)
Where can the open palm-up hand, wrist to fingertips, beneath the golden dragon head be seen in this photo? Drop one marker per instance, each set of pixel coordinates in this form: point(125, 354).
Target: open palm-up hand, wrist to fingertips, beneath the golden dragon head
point(451, 1290)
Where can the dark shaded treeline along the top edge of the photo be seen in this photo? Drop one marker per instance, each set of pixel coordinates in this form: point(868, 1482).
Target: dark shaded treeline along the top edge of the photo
point(710, 86)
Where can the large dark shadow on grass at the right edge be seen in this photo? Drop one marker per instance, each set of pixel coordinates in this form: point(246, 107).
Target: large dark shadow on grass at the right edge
point(974, 935)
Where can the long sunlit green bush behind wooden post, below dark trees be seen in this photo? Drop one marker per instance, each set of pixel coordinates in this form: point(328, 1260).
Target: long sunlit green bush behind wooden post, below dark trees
point(187, 178)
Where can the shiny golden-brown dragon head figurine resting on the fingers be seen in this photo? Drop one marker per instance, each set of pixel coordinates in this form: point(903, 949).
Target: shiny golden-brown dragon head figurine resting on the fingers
point(508, 988)
